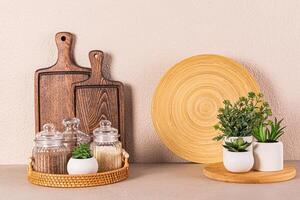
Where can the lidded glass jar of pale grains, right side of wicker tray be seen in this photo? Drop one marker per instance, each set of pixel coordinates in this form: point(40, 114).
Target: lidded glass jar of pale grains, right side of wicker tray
point(107, 148)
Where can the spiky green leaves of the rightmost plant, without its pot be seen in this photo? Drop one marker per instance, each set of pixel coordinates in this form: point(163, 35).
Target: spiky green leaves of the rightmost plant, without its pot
point(269, 133)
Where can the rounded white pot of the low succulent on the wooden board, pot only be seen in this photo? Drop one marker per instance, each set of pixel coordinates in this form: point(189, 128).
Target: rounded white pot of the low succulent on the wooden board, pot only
point(238, 162)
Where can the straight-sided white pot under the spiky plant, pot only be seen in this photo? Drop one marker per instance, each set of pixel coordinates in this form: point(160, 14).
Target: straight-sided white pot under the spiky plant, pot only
point(268, 156)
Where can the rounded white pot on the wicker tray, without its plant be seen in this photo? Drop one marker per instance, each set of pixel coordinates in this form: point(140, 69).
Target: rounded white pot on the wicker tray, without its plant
point(82, 166)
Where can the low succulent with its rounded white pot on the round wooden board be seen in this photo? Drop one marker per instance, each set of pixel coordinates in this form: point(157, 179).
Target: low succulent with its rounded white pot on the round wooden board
point(236, 157)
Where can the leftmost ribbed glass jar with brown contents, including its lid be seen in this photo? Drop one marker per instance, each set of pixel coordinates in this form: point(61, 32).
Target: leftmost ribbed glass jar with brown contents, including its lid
point(49, 153)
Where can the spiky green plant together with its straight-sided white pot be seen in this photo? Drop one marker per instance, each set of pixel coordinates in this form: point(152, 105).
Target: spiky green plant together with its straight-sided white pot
point(268, 151)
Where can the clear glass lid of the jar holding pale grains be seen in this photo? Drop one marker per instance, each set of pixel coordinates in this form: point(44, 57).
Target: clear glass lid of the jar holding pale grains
point(105, 133)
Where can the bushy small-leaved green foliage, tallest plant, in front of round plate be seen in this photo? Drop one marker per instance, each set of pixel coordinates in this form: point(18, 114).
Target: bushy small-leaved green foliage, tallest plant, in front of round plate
point(240, 118)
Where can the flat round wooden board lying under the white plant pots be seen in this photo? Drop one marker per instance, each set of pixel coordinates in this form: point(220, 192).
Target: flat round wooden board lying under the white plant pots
point(217, 172)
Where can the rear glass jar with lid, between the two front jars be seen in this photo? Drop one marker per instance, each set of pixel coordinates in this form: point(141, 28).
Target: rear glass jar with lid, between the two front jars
point(72, 135)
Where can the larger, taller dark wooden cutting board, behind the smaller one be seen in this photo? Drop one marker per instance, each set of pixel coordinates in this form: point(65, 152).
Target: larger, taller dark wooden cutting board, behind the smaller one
point(53, 85)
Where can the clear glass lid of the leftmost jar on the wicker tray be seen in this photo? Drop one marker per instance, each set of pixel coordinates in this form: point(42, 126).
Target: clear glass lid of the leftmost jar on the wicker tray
point(48, 135)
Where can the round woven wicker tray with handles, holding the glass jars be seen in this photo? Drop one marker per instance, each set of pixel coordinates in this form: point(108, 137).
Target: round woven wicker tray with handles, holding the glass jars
point(85, 180)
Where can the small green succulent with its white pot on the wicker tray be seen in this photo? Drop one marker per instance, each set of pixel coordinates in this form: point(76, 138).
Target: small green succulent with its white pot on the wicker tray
point(82, 161)
